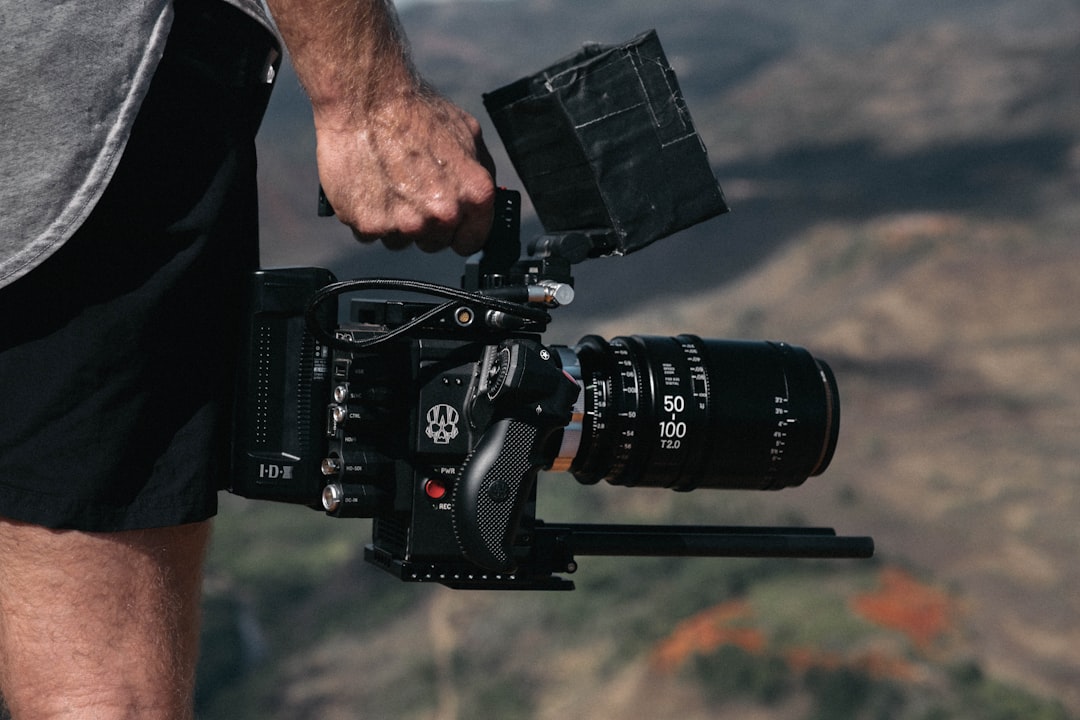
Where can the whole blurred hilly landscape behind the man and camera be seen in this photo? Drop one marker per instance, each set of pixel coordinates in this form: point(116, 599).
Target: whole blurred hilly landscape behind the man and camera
point(906, 184)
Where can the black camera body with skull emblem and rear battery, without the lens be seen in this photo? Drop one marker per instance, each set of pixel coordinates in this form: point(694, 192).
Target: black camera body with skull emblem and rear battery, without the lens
point(438, 438)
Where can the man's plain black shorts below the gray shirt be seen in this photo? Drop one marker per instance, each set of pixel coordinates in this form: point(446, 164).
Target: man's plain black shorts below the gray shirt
point(117, 354)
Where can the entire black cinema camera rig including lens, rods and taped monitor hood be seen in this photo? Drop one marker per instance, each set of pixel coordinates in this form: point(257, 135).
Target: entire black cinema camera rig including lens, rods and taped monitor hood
point(434, 415)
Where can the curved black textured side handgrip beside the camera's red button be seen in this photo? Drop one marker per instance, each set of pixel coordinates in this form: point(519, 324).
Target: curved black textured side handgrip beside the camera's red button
point(495, 485)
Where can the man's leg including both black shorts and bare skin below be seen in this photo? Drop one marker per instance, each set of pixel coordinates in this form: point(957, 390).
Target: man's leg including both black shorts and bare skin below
point(116, 375)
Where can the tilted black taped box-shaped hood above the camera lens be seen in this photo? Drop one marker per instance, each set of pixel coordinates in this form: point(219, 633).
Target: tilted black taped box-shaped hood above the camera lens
point(604, 143)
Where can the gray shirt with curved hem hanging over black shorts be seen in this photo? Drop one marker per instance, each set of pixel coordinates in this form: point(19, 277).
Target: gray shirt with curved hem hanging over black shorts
point(73, 76)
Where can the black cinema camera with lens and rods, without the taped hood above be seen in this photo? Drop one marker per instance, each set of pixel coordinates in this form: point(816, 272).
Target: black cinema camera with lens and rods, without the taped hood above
point(435, 420)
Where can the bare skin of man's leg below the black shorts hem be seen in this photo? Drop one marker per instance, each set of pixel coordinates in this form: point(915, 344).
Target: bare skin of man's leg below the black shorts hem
point(100, 626)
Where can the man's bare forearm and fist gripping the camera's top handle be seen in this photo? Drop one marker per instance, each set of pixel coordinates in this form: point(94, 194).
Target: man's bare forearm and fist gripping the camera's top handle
point(397, 161)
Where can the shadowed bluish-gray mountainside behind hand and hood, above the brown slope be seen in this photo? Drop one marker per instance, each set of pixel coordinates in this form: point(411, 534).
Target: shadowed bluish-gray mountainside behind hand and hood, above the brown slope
point(807, 115)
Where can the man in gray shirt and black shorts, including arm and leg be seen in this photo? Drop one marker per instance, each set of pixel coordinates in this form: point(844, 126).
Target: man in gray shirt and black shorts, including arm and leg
point(128, 222)
